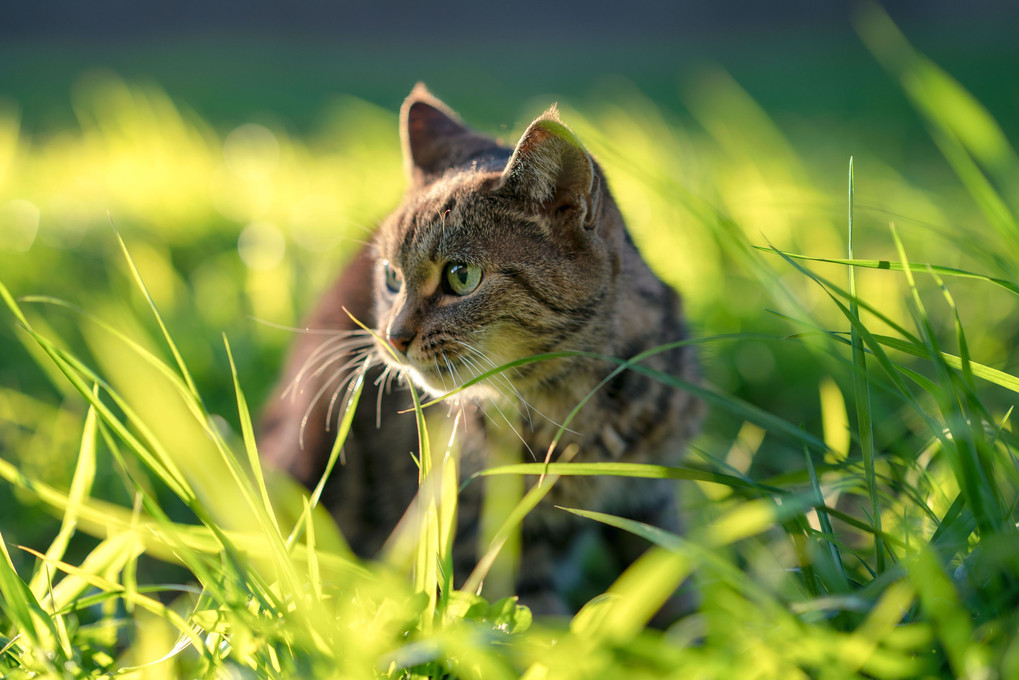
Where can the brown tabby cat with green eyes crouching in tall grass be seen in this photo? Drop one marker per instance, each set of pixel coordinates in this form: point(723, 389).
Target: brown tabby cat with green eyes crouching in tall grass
point(495, 254)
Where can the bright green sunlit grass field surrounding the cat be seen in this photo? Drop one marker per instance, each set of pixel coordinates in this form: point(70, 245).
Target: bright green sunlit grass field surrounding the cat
point(852, 501)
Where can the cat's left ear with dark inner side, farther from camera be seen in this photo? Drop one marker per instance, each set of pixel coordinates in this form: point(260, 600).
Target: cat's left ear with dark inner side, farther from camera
point(434, 137)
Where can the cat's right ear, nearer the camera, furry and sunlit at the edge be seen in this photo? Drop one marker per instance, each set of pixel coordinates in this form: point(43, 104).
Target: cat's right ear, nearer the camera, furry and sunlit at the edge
point(551, 170)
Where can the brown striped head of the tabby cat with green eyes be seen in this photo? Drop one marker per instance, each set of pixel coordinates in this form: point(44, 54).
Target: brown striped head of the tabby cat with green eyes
point(496, 253)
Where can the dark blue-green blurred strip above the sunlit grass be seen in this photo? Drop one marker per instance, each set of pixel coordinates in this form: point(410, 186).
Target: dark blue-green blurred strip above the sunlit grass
point(231, 61)
